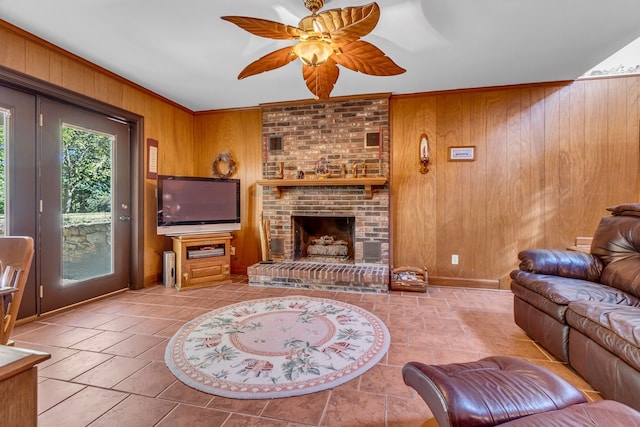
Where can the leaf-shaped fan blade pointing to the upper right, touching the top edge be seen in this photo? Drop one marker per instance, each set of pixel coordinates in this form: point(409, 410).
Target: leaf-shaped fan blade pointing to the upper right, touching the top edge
point(349, 24)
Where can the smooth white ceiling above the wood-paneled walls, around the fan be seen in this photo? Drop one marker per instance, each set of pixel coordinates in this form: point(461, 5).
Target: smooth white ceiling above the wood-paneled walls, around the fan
point(183, 51)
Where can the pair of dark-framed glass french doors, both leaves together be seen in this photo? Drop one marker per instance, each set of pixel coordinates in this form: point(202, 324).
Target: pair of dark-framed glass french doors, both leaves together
point(64, 180)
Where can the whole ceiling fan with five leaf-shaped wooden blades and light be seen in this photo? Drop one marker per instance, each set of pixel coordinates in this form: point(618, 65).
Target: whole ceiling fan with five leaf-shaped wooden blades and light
point(324, 40)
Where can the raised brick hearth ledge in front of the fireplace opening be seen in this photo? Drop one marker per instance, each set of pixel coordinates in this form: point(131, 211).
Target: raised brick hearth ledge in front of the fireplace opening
point(372, 278)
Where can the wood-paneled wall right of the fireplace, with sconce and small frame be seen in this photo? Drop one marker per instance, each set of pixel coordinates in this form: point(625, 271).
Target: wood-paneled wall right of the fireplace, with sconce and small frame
point(549, 159)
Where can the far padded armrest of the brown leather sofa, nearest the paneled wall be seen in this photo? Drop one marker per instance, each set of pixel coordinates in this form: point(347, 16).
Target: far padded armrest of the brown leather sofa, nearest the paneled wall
point(563, 263)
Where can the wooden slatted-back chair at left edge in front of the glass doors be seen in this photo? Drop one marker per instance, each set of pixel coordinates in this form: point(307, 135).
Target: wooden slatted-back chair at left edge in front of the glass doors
point(16, 254)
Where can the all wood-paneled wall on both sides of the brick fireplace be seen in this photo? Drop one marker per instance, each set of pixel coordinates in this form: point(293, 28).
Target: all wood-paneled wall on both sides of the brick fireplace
point(549, 159)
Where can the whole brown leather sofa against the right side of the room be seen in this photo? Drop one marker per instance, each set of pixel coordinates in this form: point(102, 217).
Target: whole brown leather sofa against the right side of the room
point(585, 308)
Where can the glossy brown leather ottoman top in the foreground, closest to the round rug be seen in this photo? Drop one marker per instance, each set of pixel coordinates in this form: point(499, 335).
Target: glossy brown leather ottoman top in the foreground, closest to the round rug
point(490, 391)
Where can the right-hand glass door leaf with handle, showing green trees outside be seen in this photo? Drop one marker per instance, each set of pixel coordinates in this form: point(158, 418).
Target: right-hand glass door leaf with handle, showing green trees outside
point(83, 205)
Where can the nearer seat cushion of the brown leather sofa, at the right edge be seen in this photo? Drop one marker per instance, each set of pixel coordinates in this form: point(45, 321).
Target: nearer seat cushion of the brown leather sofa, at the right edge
point(615, 328)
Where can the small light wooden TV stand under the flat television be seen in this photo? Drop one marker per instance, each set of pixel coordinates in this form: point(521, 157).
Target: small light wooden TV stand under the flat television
point(202, 260)
